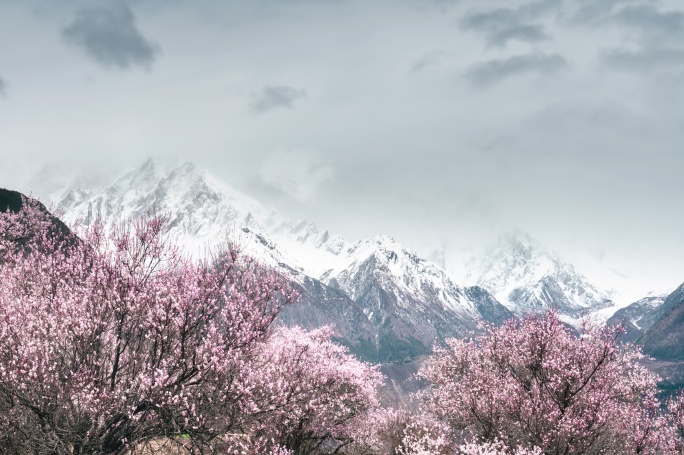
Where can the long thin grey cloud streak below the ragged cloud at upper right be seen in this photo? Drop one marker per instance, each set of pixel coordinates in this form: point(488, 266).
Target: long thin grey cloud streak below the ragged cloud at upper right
point(494, 71)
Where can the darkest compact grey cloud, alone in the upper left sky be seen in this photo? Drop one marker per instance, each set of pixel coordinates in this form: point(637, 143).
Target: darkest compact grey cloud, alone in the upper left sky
point(109, 36)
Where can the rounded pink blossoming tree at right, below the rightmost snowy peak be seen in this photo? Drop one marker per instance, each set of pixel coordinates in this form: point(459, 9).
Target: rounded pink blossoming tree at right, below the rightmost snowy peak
point(533, 385)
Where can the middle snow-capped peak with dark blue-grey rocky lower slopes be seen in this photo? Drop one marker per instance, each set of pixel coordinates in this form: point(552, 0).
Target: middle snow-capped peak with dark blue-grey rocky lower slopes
point(411, 302)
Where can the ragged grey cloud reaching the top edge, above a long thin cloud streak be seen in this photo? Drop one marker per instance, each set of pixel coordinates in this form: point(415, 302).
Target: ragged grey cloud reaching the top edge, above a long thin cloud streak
point(505, 24)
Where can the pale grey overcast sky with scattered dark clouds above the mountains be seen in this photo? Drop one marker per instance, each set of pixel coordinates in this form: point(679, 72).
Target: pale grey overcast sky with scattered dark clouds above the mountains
point(430, 120)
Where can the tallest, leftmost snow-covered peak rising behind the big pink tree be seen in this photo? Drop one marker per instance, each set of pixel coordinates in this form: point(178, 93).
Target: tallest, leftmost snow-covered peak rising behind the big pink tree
point(202, 212)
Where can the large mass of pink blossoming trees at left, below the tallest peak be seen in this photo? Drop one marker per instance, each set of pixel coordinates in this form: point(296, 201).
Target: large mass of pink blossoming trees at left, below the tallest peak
point(116, 339)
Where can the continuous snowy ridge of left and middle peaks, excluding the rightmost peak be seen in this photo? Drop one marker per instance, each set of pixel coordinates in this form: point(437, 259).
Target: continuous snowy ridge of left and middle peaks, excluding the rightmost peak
point(385, 302)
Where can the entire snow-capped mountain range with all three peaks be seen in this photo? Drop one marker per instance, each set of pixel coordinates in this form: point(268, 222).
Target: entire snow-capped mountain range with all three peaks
point(385, 302)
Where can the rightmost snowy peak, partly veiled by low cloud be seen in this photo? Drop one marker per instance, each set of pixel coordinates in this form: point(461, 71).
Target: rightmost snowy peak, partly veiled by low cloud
point(525, 276)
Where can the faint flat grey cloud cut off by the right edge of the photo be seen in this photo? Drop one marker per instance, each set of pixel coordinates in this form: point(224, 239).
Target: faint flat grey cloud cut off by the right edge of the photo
point(648, 59)
